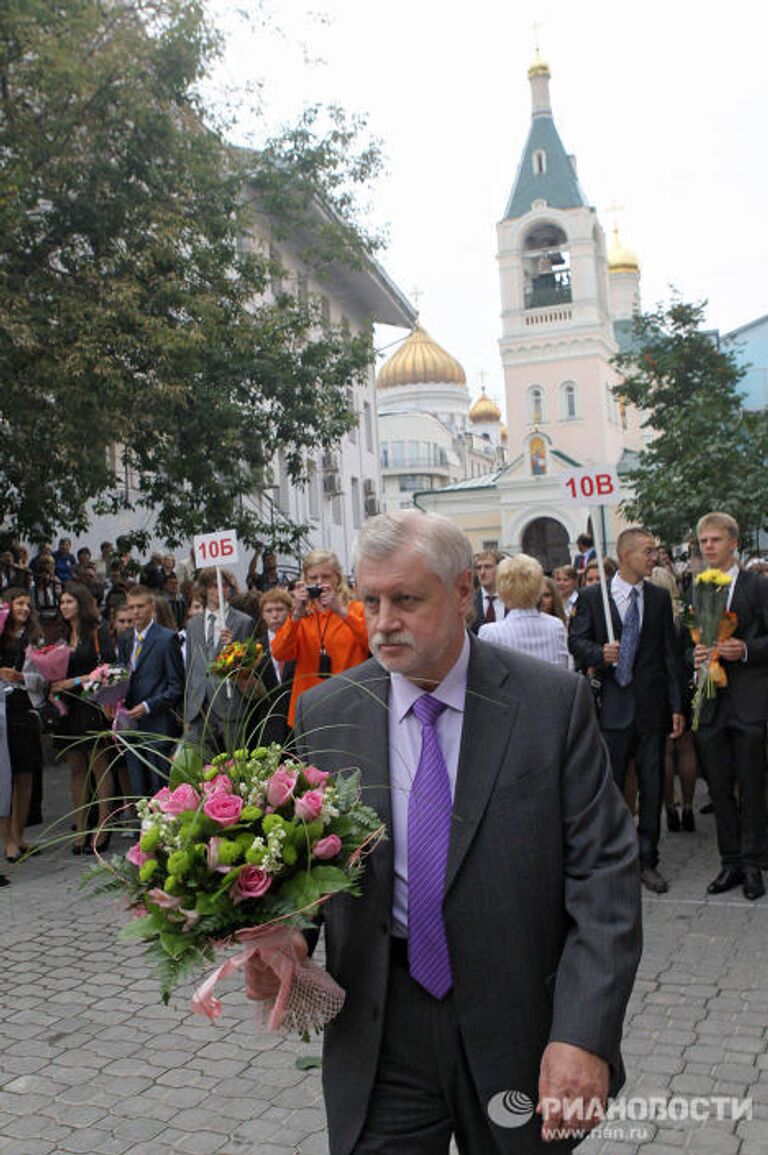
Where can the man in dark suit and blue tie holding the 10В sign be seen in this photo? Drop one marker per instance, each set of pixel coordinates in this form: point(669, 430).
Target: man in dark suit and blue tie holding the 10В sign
point(642, 682)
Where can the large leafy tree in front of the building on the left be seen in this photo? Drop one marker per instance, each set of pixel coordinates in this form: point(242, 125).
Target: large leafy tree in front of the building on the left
point(130, 314)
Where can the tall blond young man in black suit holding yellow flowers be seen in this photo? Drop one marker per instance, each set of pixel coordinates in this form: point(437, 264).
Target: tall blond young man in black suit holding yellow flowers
point(732, 736)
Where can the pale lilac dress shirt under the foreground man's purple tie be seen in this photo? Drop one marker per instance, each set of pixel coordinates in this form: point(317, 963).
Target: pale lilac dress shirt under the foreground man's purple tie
point(405, 752)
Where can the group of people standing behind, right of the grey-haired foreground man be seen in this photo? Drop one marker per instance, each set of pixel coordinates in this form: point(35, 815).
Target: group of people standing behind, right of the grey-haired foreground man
point(644, 680)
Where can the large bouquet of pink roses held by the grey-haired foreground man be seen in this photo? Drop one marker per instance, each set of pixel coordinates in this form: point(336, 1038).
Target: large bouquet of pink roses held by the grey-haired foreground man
point(245, 851)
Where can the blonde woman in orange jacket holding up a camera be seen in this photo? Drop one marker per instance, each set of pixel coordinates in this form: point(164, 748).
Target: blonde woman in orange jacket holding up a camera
point(326, 631)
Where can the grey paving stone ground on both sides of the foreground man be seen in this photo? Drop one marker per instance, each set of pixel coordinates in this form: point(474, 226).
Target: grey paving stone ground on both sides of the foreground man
point(91, 1062)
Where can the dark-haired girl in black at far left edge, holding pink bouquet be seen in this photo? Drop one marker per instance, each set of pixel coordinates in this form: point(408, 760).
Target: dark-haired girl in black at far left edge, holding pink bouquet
point(18, 682)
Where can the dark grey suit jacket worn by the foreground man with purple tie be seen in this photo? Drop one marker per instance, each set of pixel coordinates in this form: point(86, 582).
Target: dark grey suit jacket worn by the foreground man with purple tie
point(542, 903)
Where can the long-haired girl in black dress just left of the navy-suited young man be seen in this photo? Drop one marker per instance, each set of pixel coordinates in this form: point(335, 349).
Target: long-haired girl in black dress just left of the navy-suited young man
point(91, 645)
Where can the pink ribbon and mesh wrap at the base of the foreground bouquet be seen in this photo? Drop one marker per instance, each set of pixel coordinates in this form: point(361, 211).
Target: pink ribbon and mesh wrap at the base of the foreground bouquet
point(308, 997)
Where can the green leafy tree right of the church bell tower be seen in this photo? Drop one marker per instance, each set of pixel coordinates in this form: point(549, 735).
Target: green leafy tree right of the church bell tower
point(706, 452)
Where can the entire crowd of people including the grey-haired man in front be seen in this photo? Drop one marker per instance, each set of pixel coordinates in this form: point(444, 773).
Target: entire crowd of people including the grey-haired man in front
point(475, 695)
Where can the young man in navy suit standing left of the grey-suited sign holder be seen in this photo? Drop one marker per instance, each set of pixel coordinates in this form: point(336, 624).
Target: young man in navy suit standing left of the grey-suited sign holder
point(155, 691)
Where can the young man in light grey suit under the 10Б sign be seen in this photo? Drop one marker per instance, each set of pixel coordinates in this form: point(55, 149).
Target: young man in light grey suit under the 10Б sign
point(215, 713)
